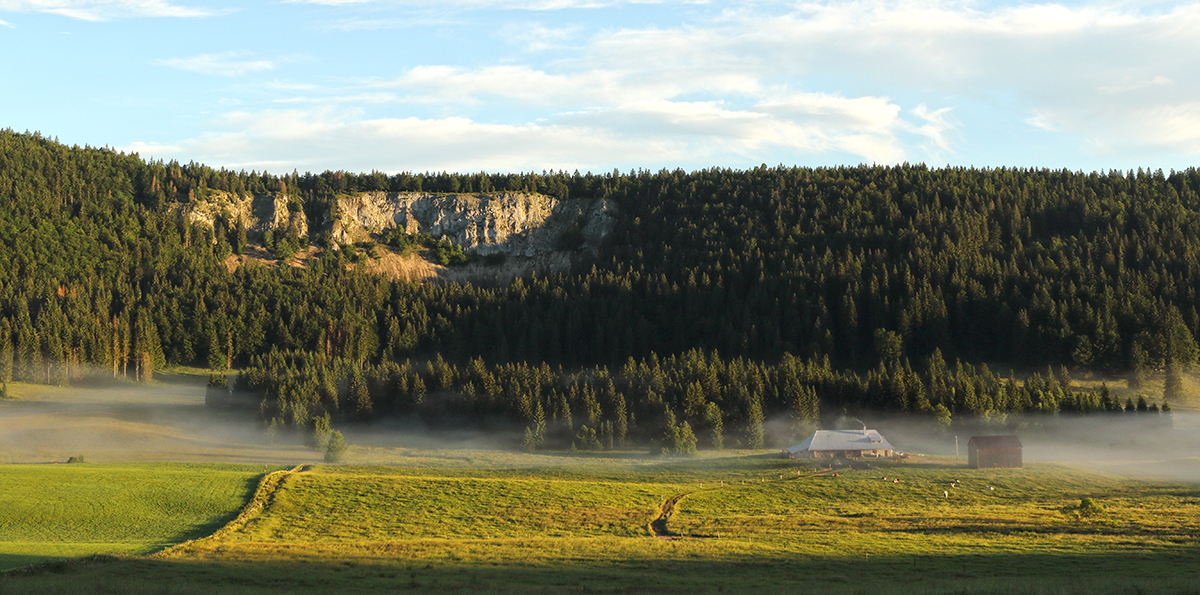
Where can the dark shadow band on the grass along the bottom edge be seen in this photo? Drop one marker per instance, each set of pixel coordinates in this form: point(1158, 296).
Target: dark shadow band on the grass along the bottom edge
point(1161, 572)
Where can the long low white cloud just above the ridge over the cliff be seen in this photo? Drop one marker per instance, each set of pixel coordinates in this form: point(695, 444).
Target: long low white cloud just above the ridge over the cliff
point(272, 139)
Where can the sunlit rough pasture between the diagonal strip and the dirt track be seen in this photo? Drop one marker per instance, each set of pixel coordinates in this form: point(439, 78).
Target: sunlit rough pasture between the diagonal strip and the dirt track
point(356, 506)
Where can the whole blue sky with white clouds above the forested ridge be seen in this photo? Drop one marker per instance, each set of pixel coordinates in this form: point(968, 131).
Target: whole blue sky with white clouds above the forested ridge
point(531, 86)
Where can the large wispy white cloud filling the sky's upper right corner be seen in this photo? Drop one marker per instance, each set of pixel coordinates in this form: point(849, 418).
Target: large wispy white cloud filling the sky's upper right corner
point(1084, 71)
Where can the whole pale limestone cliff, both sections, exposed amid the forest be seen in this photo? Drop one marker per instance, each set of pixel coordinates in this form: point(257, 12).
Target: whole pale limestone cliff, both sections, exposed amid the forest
point(535, 233)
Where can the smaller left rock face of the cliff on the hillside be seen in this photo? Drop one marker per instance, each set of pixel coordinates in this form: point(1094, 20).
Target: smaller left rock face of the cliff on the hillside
point(260, 213)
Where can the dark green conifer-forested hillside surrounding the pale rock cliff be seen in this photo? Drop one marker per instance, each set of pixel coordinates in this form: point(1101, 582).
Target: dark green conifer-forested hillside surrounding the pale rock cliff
point(721, 299)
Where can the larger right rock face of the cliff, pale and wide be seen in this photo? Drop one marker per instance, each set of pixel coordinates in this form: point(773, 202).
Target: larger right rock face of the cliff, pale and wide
point(511, 223)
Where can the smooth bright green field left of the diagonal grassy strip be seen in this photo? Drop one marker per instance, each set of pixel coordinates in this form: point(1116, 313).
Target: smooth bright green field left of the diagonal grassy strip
point(53, 512)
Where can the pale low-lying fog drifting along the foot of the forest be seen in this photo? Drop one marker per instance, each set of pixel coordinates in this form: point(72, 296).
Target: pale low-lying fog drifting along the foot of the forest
point(170, 423)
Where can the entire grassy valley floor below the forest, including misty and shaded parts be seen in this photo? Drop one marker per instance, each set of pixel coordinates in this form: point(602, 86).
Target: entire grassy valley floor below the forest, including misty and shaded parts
point(418, 514)
